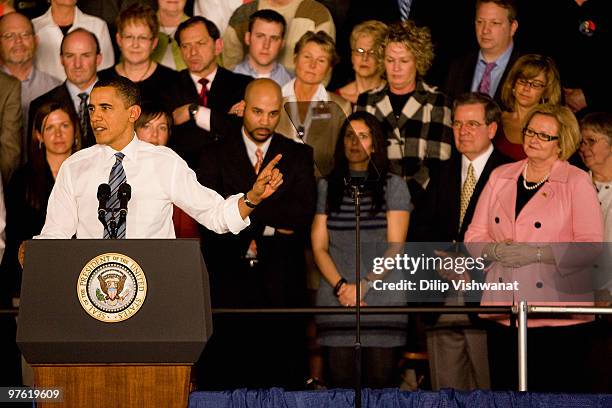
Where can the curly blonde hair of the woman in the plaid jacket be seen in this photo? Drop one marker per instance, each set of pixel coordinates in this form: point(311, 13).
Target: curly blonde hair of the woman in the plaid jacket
point(416, 39)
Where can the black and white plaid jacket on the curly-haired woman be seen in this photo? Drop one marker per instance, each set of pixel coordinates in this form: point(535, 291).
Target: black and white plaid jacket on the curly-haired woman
point(422, 135)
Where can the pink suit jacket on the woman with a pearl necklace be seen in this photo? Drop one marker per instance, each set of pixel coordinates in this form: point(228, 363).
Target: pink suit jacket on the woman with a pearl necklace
point(564, 210)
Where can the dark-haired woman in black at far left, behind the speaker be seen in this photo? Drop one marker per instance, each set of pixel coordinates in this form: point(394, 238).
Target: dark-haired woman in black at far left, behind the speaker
point(55, 136)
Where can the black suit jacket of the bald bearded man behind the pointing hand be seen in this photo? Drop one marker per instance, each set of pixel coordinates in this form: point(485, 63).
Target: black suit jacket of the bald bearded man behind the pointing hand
point(279, 278)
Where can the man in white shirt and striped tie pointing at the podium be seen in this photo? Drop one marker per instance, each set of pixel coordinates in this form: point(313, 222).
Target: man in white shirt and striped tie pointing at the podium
point(158, 178)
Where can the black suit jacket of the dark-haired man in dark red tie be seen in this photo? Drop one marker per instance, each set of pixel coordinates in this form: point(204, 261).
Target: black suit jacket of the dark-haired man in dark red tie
point(188, 140)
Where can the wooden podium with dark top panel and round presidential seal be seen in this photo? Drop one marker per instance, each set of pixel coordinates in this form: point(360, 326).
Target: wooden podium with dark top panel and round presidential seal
point(144, 360)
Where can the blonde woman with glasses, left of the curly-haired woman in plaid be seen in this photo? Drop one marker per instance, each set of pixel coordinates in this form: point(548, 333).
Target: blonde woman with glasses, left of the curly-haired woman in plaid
point(365, 40)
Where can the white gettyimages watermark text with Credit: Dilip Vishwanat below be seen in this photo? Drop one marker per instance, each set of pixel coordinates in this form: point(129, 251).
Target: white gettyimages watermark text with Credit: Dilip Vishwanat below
point(455, 272)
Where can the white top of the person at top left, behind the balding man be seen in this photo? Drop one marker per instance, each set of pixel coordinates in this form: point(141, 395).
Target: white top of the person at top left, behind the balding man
point(50, 38)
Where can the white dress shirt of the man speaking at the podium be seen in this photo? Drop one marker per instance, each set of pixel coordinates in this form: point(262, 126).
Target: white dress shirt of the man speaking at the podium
point(159, 178)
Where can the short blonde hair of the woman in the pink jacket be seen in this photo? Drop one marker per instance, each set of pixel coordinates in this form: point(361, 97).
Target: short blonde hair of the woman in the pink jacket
point(569, 131)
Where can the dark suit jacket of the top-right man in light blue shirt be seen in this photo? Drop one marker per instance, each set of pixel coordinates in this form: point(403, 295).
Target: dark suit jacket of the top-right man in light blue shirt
point(461, 74)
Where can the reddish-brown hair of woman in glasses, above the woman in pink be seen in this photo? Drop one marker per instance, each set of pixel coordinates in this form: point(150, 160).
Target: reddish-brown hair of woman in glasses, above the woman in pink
point(528, 67)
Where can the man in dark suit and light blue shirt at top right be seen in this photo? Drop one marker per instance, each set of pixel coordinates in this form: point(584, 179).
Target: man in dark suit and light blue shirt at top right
point(484, 71)
